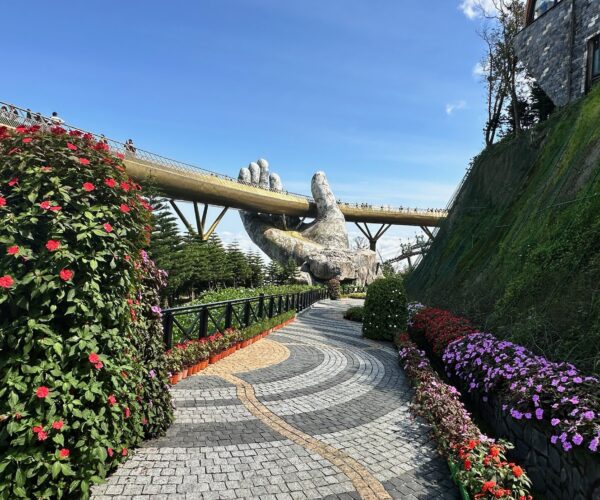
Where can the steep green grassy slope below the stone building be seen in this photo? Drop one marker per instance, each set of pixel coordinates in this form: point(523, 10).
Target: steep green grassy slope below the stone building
point(519, 253)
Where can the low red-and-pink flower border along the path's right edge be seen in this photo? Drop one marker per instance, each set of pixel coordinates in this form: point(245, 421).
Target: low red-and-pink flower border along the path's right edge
point(481, 462)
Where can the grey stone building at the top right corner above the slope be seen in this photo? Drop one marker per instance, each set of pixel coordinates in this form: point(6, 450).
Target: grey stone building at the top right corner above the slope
point(560, 46)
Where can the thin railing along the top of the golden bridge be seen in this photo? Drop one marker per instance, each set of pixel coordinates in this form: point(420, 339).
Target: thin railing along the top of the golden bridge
point(14, 116)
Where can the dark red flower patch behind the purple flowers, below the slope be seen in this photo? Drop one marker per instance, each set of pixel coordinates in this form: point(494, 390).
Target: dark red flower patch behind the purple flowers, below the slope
point(439, 327)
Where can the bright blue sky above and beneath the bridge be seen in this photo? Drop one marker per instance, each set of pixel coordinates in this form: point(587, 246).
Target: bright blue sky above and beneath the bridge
point(381, 95)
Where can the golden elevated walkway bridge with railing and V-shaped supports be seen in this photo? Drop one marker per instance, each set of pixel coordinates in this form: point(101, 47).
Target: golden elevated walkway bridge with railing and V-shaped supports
point(183, 182)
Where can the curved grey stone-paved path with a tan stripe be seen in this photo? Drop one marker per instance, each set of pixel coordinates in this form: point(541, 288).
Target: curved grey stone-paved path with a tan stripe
point(313, 411)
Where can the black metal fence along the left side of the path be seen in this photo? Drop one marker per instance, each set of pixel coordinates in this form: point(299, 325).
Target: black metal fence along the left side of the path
point(203, 320)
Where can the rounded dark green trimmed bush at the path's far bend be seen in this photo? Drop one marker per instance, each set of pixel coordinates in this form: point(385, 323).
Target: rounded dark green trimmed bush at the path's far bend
point(385, 308)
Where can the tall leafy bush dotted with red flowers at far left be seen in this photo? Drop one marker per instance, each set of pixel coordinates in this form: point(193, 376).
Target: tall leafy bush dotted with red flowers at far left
point(81, 367)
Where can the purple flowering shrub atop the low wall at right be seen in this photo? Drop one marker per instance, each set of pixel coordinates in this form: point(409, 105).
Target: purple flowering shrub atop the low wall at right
point(530, 386)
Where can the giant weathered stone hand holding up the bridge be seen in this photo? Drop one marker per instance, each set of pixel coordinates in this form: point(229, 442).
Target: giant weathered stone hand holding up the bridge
point(319, 248)
